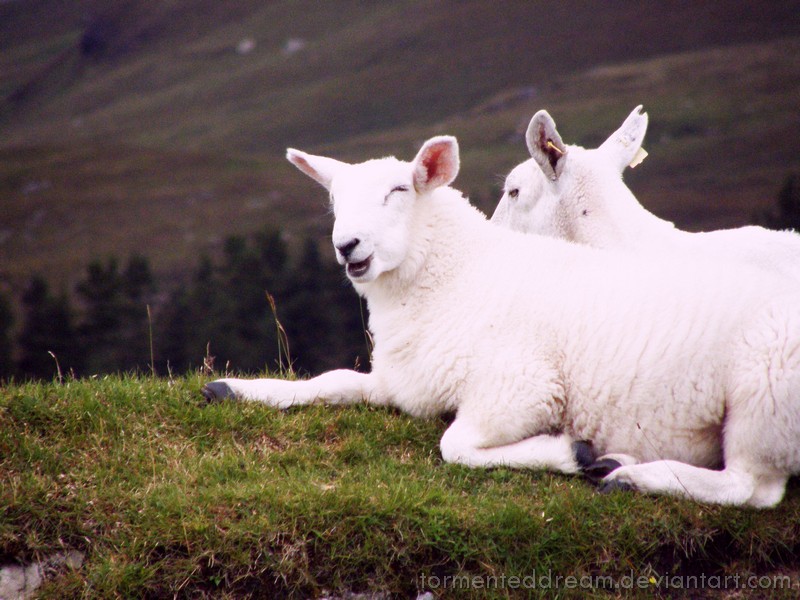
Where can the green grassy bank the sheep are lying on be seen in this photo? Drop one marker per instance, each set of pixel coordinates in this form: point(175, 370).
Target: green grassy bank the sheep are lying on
point(170, 497)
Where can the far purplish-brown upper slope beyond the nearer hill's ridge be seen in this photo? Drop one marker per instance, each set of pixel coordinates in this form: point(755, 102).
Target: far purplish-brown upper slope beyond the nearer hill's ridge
point(169, 73)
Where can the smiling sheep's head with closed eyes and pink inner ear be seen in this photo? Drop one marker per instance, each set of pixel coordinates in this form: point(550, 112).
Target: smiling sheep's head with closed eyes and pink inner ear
point(373, 202)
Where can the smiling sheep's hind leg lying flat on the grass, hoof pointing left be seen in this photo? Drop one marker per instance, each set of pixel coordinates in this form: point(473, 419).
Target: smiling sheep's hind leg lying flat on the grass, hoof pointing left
point(734, 486)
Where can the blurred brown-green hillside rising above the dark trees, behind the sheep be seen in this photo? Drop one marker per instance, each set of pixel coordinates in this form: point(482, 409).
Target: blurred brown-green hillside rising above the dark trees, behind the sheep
point(126, 126)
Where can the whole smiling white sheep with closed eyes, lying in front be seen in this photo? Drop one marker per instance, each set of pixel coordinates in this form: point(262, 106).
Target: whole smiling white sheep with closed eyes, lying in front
point(535, 342)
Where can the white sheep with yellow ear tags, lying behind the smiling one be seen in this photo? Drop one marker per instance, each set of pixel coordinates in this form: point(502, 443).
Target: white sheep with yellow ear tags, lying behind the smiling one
point(577, 194)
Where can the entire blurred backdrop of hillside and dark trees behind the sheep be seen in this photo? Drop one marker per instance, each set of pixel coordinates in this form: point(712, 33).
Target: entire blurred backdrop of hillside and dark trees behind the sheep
point(146, 207)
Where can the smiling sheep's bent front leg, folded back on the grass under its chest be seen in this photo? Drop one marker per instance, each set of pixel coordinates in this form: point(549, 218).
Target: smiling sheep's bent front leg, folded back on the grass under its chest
point(464, 444)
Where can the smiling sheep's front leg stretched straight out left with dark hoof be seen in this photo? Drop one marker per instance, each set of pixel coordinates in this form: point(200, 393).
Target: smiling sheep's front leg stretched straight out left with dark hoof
point(334, 387)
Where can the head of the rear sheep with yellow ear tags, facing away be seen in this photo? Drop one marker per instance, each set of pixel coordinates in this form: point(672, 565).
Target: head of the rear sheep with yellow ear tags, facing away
point(569, 191)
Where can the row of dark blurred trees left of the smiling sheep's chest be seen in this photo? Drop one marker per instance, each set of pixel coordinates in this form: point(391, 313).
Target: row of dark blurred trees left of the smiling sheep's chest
point(253, 308)
